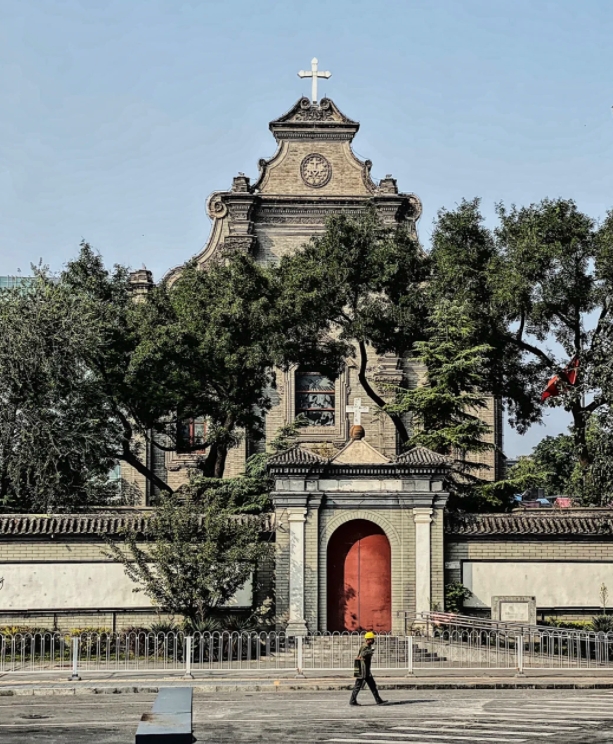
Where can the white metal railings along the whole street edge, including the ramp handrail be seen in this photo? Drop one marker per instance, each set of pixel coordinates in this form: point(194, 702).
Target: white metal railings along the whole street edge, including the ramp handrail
point(436, 642)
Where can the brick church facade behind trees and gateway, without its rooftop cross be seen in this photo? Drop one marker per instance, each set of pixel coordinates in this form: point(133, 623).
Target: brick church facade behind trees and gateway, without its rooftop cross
point(313, 174)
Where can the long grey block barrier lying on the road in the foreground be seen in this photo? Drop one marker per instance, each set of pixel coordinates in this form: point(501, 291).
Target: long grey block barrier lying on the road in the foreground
point(170, 720)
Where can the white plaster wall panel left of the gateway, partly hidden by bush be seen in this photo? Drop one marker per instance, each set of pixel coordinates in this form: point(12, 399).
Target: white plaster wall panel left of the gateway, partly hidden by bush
point(62, 586)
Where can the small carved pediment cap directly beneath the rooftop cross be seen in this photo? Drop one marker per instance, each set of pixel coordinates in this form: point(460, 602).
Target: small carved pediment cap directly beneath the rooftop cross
point(307, 120)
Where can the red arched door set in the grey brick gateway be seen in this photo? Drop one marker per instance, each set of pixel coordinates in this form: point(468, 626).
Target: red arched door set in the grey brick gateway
point(359, 578)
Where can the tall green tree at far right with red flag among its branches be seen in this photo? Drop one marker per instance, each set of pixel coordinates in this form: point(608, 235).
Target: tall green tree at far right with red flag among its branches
point(543, 274)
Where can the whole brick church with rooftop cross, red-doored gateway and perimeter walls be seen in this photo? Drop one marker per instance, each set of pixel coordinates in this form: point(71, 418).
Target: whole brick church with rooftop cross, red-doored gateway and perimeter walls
point(362, 538)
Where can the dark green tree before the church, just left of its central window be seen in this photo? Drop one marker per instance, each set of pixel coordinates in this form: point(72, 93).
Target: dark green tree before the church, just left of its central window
point(215, 338)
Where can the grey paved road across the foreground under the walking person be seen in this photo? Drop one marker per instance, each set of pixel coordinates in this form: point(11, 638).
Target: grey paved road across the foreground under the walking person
point(417, 717)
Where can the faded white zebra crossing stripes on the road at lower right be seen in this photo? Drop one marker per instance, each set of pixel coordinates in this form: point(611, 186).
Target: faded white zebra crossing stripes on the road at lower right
point(557, 718)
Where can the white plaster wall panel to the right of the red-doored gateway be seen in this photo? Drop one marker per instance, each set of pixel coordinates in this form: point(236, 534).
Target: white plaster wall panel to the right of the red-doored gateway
point(554, 584)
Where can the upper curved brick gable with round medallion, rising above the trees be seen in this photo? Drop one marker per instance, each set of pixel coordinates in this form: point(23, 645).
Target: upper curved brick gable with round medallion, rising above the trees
point(313, 175)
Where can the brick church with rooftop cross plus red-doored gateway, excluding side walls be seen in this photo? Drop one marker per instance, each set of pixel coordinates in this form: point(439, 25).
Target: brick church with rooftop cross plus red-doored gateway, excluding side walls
point(358, 526)
